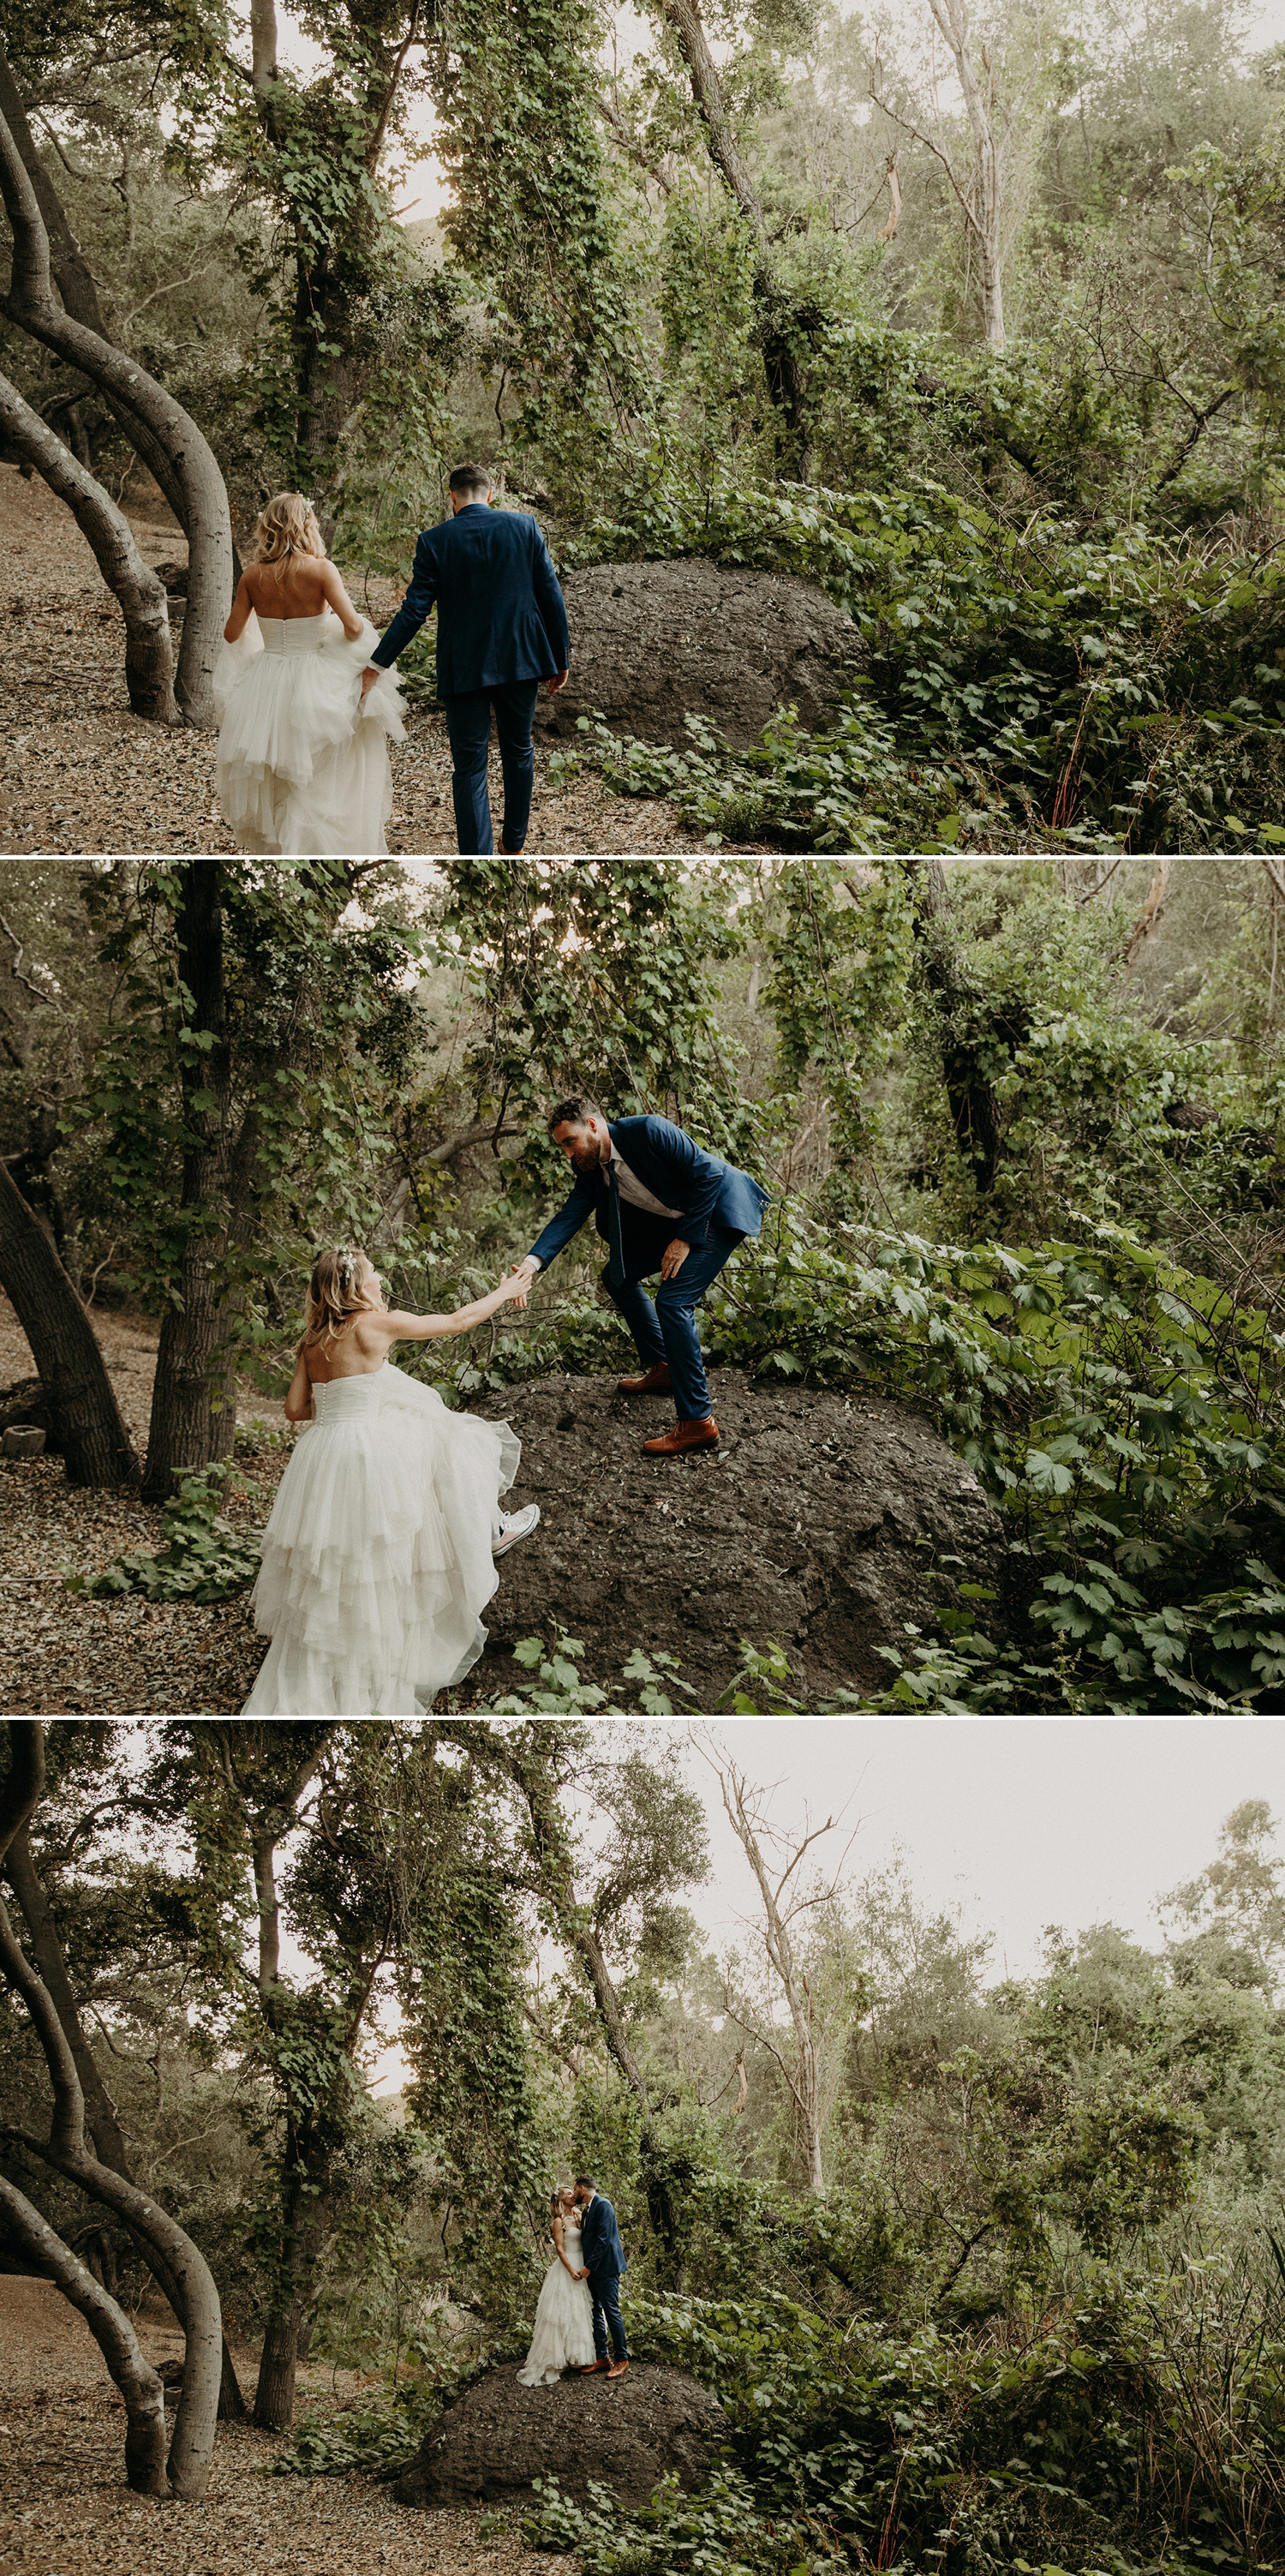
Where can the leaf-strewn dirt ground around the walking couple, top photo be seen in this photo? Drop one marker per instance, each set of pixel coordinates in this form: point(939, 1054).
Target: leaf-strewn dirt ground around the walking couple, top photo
point(84, 774)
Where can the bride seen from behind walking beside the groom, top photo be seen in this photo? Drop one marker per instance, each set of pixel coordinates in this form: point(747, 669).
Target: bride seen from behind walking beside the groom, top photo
point(303, 723)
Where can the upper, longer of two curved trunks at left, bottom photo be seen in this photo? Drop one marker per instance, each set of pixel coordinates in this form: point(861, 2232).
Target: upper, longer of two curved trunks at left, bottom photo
point(66, 2152)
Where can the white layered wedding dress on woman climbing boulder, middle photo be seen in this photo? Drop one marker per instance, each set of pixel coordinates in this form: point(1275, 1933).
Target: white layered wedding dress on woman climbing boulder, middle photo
point(377, 1557)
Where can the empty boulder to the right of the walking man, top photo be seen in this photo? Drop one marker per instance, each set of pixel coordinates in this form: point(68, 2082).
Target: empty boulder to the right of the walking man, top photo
point(655, 643)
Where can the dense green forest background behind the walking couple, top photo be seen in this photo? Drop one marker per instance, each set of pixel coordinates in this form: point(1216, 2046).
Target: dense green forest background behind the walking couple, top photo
point(975, 321)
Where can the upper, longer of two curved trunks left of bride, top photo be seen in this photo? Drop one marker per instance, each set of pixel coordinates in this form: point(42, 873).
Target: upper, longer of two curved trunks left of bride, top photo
point(205, 501)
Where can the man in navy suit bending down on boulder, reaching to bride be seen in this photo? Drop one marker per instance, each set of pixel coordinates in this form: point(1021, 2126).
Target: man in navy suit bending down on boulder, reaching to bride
point(663, 1204)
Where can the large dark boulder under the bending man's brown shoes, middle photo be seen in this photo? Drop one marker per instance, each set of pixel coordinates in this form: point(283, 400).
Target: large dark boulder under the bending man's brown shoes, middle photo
point(815, 1524)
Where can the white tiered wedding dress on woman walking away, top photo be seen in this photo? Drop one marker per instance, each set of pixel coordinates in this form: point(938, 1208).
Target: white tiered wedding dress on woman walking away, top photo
point(303, 756)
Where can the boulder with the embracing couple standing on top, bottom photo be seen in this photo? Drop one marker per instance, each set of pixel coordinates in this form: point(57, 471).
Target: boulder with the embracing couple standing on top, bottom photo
point(614, 2433)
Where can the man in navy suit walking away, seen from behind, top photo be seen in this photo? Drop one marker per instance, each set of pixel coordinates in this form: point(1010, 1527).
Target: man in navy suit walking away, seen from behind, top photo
point(501, 632)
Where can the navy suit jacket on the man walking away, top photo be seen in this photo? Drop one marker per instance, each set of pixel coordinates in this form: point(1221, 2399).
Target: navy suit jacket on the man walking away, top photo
point(501, 612)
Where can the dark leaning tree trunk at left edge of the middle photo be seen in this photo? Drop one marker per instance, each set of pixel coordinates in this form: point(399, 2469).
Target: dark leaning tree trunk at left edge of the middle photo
point(84, 1408)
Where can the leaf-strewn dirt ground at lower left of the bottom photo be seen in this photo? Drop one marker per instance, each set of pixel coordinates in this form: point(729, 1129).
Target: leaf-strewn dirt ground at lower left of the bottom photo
point(68, 2513)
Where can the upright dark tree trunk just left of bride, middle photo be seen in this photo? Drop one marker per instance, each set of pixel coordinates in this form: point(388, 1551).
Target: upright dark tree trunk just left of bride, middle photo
point(189, 1379)
